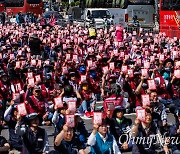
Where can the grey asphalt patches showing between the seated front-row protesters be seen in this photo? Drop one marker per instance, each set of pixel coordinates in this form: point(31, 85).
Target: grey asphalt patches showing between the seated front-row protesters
point(88, 123)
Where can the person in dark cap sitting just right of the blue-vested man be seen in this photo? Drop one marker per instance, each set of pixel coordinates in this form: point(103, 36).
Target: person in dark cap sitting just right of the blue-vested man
point(120, 126)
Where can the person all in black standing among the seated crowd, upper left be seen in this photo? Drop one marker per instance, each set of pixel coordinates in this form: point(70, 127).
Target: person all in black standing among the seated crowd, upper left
point(35, 46)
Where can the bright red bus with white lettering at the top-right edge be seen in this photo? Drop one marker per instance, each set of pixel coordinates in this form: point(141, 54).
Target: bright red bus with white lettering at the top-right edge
point(170, 17)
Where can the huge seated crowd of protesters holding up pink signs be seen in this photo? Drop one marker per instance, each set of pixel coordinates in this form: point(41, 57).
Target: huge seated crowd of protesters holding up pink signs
point(53, 75)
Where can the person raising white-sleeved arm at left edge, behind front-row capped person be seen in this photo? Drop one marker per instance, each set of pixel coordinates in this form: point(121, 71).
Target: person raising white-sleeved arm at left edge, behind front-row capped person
point(10, 116)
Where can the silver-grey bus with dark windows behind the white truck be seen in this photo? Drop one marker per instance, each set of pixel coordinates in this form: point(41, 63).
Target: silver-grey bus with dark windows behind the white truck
point(123, 11)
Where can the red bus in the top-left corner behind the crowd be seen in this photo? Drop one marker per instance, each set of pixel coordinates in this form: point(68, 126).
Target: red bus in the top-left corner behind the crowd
point(33, 6)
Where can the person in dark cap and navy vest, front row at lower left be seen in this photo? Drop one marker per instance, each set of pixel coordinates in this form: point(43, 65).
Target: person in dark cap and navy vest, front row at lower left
point(35, 139)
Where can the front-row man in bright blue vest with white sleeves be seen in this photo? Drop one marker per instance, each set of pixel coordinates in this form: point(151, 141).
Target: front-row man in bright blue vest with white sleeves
point(101, 141)
